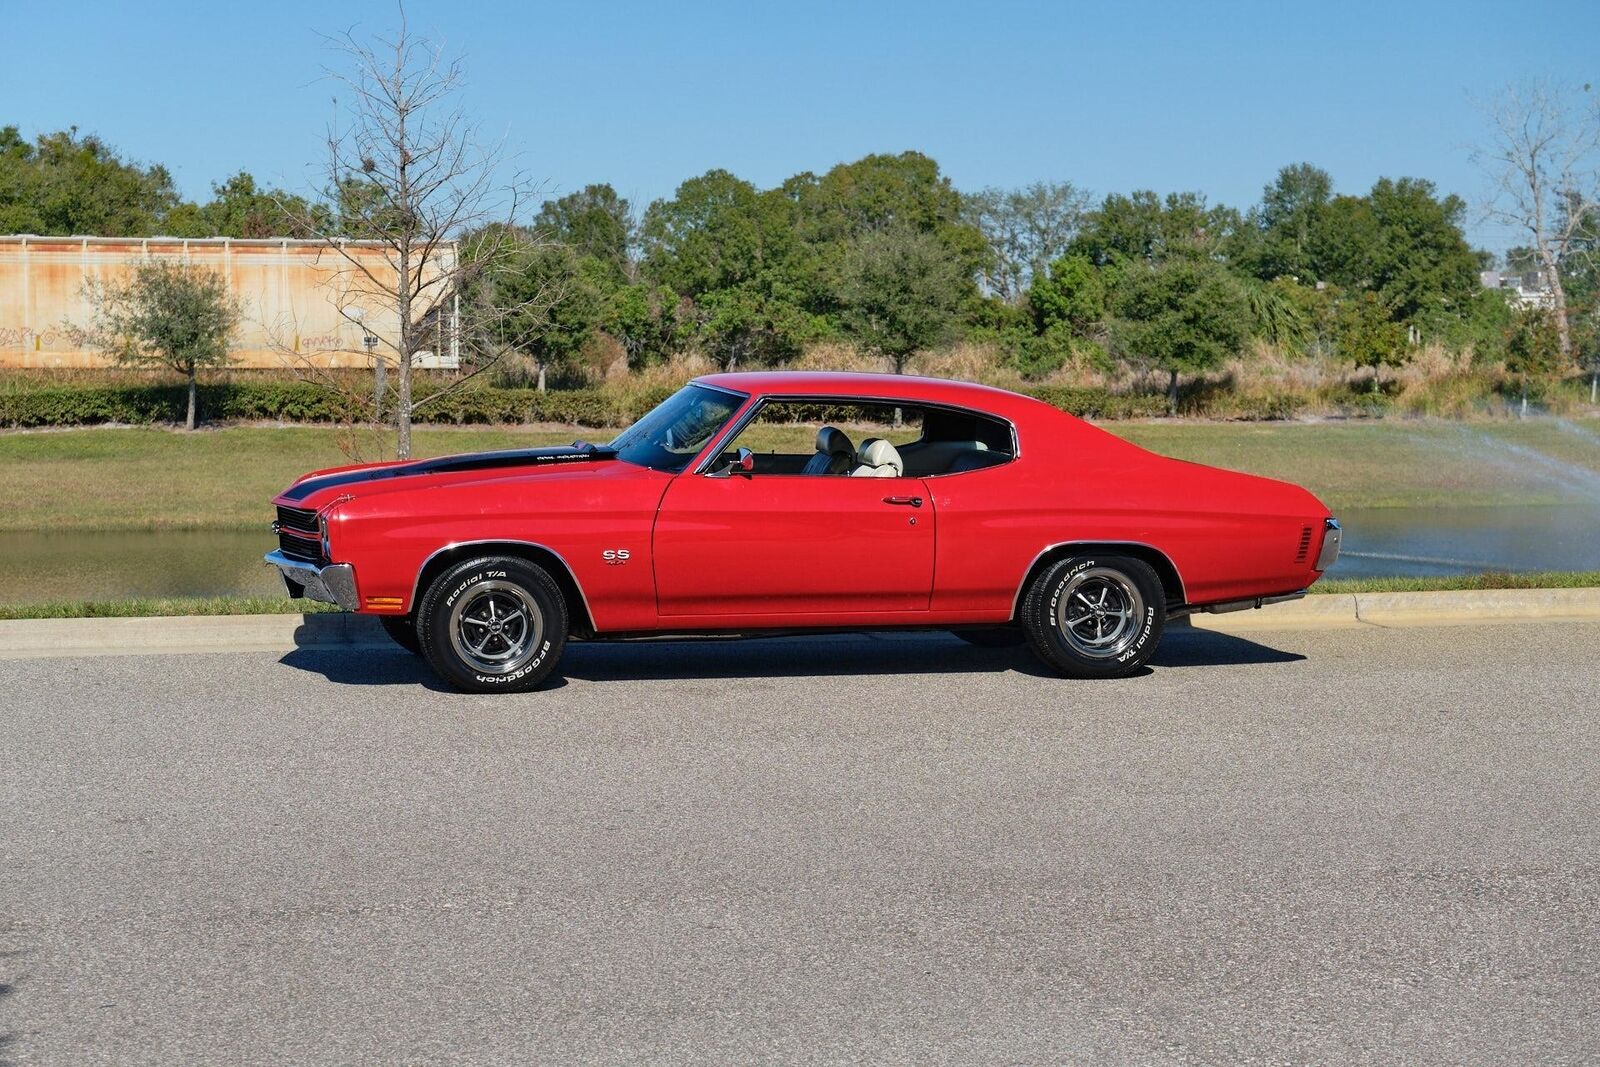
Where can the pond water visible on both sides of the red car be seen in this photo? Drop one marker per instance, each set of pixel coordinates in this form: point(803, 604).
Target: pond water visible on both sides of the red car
point(70, 565)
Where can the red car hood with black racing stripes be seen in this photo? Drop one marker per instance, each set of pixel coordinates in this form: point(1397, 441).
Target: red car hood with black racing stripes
point(322, 487)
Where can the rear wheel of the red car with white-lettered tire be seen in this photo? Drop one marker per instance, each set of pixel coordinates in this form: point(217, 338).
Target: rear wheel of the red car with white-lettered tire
point(1095, 617)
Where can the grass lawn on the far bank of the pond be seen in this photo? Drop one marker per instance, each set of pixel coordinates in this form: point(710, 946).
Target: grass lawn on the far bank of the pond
point(153, 479)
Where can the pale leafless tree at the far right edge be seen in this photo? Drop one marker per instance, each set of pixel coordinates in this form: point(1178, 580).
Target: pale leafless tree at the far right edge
point(1545, 162)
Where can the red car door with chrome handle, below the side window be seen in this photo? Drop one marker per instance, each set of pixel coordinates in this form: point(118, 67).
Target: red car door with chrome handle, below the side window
point(793, 546)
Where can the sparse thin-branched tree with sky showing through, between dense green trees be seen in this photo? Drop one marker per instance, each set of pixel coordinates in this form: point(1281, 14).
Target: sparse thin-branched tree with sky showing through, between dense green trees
point(1028, 230)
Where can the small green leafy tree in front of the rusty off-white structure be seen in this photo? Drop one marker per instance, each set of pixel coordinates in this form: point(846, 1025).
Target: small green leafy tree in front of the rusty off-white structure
point(164, 314)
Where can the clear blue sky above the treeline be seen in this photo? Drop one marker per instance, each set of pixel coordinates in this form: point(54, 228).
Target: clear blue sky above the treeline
point(1201, 95)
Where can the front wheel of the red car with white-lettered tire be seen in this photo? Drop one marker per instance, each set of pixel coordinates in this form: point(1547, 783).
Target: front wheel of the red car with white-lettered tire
point(497, 625)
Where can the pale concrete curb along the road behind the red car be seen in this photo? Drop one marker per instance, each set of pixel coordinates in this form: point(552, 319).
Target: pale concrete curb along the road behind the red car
point(33, 639)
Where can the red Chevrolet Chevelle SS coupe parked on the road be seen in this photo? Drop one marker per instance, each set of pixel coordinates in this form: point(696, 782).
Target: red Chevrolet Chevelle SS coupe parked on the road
point(959, 508)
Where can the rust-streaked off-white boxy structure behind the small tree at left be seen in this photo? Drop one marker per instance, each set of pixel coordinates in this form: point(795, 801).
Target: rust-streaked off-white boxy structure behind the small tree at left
point(300, 300)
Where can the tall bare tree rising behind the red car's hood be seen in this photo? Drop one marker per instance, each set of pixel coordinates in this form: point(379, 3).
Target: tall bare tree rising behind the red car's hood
point(410, 175)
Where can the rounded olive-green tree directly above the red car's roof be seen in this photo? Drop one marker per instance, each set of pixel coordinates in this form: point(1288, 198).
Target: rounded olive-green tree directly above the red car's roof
point(902, 292)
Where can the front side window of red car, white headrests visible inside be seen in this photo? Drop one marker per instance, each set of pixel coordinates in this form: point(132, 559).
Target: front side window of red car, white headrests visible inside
point(826, 438)
